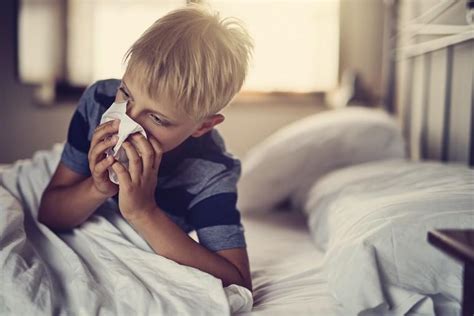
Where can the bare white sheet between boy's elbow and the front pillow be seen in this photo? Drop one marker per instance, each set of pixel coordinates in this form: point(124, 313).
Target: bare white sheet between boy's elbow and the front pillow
point(286, 267)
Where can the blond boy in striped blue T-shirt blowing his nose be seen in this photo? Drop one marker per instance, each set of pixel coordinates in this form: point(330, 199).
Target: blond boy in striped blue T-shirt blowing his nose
point(181, 72)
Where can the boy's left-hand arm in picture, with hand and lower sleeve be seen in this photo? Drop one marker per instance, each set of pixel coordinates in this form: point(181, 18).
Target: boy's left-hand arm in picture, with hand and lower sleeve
point(71, 197)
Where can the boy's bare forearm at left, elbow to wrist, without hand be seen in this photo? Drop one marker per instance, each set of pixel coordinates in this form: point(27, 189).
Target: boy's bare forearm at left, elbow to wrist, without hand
point(69, 199)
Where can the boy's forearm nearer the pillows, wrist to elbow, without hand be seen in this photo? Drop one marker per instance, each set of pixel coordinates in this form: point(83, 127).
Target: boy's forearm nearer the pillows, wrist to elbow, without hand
point(168, 240)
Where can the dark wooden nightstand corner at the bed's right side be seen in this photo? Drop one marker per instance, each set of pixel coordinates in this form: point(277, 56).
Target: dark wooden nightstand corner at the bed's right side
point(459, 244)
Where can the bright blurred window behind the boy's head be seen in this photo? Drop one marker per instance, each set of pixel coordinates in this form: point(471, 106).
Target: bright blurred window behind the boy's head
point(76, 42)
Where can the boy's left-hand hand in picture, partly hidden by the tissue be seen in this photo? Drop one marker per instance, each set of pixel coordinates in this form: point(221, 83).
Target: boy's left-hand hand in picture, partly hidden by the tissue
point(98, 163)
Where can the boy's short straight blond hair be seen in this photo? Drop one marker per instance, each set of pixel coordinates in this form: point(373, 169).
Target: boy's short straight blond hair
point(194, 58)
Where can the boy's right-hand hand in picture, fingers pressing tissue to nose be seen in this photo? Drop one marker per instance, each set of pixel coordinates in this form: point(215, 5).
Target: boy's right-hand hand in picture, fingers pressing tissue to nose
point(138, 184)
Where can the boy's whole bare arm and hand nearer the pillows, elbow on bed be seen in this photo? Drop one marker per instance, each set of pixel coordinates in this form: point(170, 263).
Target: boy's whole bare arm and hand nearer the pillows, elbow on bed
point(137, 203)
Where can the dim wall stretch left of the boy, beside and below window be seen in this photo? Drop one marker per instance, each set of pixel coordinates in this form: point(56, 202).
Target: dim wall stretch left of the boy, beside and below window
point(24, 126)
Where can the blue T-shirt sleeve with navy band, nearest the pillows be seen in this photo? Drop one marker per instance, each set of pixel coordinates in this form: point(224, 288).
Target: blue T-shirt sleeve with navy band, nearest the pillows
point(214, 213)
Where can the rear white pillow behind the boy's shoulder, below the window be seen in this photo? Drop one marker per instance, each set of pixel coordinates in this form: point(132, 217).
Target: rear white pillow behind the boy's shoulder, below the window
point(286, 164)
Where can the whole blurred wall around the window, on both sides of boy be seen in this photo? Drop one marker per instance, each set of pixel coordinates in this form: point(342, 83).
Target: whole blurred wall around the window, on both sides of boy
point(26, 127)
